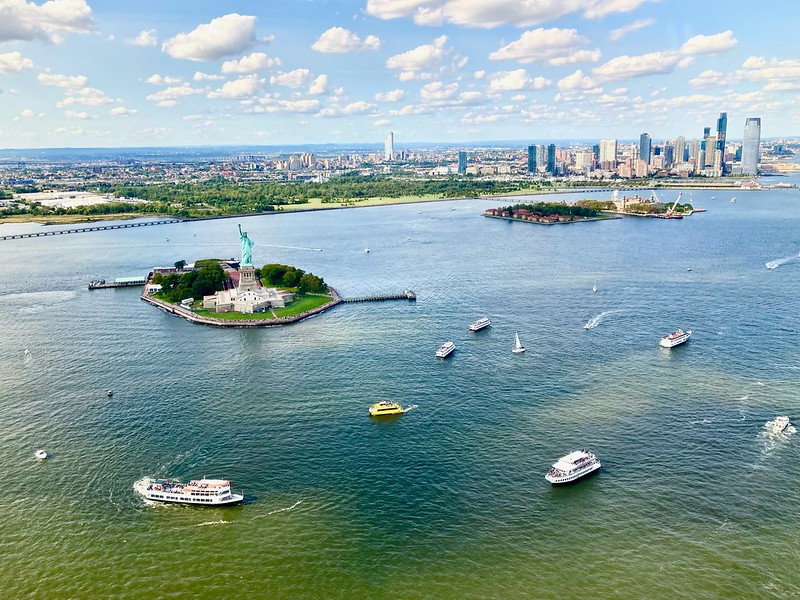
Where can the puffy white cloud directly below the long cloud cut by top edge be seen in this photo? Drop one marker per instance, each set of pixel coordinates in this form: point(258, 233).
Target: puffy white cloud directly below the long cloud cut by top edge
point(555, 46)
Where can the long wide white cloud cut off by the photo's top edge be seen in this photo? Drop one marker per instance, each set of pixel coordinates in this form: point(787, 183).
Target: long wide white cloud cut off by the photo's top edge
point(494, 13)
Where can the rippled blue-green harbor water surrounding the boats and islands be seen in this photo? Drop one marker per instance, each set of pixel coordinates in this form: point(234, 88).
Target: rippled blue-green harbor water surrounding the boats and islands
point(696, 498)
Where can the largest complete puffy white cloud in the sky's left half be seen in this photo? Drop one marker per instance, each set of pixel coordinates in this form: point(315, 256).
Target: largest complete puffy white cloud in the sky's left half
point(223, 36)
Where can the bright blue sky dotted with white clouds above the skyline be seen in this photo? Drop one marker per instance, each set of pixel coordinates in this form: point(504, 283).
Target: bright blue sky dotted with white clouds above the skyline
point(187, 72)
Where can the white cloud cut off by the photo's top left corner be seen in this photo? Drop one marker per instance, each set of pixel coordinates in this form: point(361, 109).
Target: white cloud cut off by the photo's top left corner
point(23, 20)
